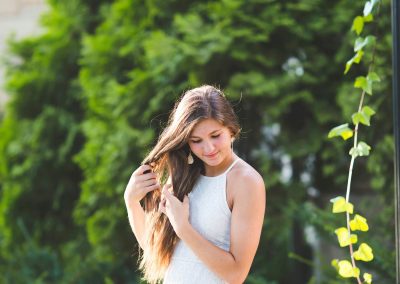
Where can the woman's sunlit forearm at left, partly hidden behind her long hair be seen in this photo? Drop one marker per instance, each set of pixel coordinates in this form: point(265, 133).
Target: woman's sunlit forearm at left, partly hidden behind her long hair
point(136, 218)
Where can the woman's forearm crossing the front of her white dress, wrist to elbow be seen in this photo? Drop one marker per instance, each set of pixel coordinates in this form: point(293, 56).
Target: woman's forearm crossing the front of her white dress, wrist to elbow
point(221, 262)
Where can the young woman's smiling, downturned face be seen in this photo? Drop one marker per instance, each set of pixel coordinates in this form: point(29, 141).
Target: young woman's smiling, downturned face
point(210, 141)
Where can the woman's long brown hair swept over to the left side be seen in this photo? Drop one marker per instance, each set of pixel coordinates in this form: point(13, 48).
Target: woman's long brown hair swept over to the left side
point(168, 159)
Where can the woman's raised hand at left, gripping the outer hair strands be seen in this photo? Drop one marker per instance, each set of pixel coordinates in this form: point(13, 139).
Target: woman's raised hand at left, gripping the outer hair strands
point(140, 184)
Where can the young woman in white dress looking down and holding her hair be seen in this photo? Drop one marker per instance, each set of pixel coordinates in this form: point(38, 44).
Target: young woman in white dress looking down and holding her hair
point(203, 206)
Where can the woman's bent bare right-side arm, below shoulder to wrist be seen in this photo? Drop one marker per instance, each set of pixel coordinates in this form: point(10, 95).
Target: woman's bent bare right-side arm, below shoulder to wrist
point(246, 224)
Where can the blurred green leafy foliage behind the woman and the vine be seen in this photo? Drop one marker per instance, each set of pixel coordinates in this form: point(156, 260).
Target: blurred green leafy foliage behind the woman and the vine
point(89, 95)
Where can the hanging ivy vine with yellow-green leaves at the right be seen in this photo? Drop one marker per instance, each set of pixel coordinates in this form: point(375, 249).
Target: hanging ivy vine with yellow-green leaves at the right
point(346, 236)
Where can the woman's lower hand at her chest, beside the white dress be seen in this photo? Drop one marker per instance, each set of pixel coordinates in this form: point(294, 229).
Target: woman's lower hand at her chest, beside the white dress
point(176, 211)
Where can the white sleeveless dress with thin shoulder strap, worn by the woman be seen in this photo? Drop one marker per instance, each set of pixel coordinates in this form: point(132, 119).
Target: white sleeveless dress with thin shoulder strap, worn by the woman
point(211, 217)
